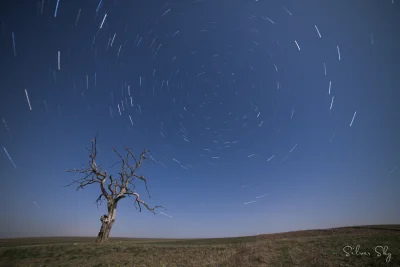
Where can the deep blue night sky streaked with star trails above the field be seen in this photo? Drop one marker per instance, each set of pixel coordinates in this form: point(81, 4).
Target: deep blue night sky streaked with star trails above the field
point(228, 77)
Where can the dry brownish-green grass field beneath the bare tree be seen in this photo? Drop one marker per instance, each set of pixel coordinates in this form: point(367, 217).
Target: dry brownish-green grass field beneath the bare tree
point(301, 248)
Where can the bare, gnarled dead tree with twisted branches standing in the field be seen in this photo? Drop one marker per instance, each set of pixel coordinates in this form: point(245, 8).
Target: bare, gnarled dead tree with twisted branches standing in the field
point(113, 188)
